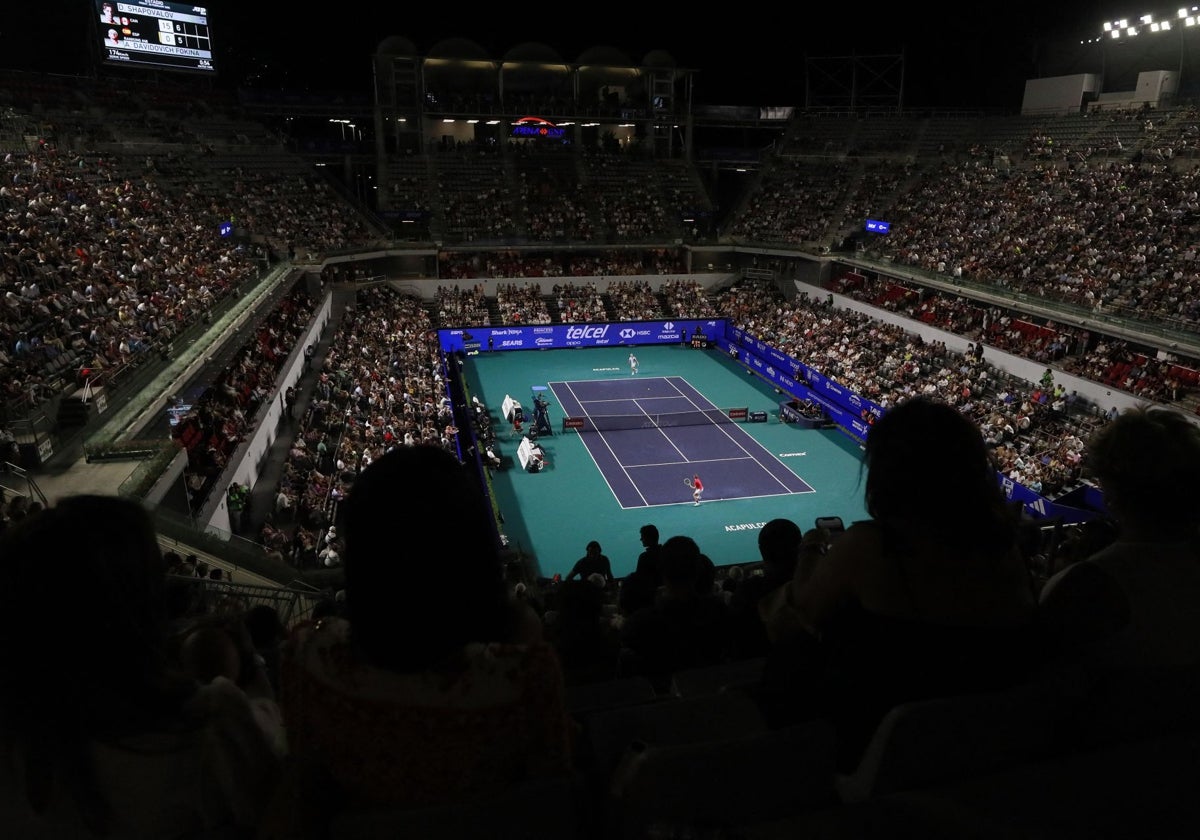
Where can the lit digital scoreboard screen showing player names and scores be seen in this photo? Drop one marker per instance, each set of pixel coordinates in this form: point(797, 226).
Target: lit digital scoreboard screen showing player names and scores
point(155, 35)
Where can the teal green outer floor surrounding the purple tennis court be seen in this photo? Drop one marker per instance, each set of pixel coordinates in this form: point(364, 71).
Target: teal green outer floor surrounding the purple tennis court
point(551, 515)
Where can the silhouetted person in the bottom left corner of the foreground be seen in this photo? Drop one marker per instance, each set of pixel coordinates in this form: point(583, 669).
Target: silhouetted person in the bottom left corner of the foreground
point(103, 736)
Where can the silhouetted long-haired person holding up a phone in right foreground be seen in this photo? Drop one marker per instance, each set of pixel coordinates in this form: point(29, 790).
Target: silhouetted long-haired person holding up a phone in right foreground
point(907, 605)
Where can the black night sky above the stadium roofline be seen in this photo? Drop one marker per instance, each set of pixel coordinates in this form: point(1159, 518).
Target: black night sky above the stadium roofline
point(977, 56)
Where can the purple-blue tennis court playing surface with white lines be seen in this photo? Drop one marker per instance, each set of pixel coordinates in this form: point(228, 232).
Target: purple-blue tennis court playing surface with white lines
point(646, 466)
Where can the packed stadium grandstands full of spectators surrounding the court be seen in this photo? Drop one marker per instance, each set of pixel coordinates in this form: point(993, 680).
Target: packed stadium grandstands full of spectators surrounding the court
point(1055, 256)
